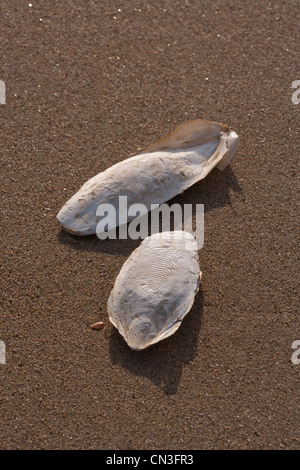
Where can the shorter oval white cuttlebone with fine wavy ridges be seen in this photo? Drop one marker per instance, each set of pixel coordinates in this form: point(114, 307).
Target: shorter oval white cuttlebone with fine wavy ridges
point(155, 288)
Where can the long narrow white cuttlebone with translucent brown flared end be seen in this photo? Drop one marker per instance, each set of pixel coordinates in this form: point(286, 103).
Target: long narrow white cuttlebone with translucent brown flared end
point(154, 175)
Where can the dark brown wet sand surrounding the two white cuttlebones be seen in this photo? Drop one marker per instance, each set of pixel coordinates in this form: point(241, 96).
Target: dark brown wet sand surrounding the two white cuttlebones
point(87, 84)
